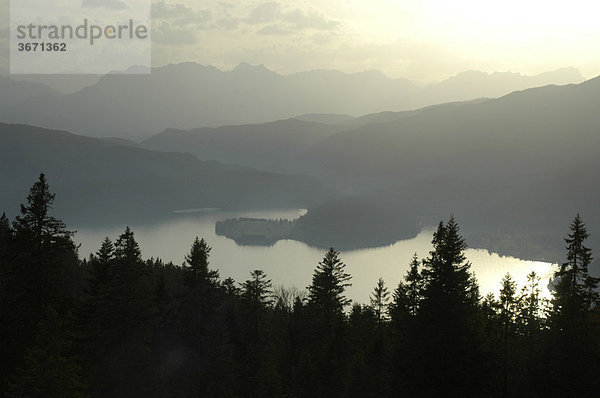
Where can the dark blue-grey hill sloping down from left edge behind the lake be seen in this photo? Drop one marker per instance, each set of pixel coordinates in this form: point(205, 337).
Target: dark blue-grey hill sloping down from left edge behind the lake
point(98, 181)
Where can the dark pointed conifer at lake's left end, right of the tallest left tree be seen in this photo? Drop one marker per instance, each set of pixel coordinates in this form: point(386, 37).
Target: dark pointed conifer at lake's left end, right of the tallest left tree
point(122, 328)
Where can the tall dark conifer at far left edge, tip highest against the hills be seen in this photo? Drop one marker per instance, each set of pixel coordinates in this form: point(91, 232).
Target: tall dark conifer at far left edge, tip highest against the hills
point(40, 284)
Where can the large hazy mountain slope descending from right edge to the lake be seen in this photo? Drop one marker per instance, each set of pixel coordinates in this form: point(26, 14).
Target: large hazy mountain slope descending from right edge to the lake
point(518, 166)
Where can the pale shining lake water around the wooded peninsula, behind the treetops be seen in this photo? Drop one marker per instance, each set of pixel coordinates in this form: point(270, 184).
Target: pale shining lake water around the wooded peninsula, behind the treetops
point(291, 263)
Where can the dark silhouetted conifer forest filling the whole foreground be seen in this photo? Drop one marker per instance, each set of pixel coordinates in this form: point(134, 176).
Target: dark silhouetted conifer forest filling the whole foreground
point(118, 325)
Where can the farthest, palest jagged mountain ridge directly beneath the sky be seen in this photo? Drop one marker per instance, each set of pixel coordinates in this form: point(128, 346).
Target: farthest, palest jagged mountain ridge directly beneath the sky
point(188, 95)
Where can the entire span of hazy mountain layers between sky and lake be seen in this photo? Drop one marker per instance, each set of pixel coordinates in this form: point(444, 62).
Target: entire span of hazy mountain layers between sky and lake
point(514, 169)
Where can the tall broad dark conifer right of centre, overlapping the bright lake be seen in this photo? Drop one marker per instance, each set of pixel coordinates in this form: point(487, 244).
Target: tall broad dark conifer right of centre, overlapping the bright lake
point(449, 319)
